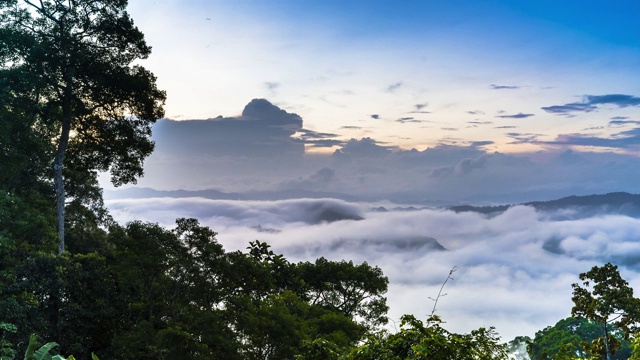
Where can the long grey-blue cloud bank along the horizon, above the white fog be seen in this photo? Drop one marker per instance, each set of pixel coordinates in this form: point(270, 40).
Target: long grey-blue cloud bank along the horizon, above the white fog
point(263, 149)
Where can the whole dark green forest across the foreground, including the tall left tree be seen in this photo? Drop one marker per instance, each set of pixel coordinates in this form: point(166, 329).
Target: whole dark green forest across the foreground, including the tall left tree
point(73, 103)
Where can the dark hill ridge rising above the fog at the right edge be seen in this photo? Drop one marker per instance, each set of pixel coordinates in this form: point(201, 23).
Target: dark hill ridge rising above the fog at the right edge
point(620, 203)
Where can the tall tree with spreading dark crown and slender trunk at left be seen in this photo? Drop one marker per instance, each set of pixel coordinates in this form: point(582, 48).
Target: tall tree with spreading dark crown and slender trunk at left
point(72, 63)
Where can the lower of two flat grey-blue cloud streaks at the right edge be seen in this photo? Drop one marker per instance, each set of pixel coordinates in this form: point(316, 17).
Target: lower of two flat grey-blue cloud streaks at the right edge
point(622, 140)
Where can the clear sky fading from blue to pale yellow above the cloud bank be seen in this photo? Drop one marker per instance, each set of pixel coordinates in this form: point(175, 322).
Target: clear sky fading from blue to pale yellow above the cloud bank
point(413, 74)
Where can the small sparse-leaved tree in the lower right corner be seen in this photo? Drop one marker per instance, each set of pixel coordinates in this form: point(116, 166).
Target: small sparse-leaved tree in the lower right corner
point(606, 298)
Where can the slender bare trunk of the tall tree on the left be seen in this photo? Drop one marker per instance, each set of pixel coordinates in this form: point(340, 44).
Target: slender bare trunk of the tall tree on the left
point(58, 163)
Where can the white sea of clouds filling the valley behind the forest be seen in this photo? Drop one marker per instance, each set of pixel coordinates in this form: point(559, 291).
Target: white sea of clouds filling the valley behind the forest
point(514, 270)
